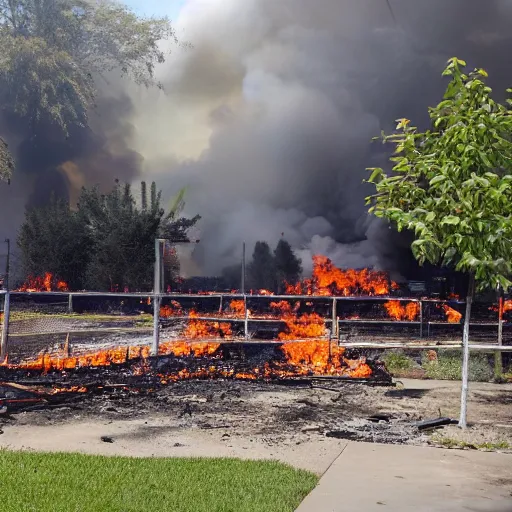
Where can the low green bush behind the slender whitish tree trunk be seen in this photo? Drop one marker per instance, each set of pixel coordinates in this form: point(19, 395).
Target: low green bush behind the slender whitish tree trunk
point(447, 365)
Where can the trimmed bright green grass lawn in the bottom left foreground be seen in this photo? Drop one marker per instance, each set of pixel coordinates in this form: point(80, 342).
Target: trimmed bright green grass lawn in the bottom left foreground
point(71, 483)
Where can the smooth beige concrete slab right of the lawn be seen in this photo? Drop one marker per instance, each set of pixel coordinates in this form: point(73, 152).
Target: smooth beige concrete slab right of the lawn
point(370, 477)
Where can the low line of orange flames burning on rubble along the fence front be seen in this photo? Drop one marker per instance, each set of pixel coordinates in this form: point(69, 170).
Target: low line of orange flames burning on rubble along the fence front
point(288, 360)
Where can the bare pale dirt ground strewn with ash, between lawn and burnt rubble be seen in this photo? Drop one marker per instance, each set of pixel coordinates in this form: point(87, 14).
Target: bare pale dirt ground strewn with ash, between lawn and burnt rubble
point(305, 426)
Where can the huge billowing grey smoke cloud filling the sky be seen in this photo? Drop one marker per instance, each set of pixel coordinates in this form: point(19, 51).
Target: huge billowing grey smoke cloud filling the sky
point(268, 117)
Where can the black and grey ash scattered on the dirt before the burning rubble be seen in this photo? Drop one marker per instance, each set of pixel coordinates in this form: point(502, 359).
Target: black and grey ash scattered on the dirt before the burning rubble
point(264, 411)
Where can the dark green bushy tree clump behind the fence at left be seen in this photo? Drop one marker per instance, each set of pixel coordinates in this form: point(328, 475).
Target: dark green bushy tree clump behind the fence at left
point(106, 244)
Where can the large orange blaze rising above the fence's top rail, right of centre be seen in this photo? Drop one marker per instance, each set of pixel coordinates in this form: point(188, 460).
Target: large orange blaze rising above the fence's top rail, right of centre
point(329, 280)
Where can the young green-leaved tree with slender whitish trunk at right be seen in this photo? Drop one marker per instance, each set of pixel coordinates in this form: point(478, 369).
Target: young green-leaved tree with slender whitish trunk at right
point(452, 187)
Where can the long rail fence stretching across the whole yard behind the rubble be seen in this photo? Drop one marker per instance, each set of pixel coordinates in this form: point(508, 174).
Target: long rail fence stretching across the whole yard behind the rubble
point(46, 321)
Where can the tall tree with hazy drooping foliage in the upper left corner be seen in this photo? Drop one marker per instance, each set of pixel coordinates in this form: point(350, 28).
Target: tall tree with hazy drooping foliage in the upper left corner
point(53, 51)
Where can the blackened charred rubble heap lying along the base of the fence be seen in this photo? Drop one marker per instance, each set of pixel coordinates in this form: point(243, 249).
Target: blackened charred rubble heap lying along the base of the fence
point(22, 389)
